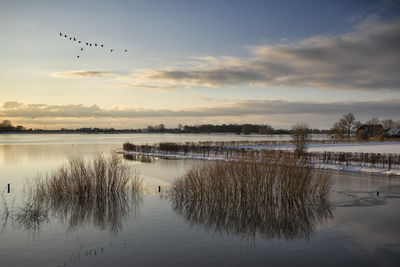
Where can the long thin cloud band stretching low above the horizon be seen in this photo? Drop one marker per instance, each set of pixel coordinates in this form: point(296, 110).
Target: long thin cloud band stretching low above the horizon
point(384, 108)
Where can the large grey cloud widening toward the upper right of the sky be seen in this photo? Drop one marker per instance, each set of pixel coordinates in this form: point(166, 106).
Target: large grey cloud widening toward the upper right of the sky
point(366, 59)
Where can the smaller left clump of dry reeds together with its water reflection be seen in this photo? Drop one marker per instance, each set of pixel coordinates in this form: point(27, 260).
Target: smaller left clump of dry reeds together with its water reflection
point(103, 191)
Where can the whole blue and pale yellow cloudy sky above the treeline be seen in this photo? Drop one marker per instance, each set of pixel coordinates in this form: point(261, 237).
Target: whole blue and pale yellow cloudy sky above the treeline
point(198, 62)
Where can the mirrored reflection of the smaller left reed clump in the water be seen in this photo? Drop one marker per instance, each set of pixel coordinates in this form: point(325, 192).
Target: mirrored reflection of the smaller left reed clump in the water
point(108, 213)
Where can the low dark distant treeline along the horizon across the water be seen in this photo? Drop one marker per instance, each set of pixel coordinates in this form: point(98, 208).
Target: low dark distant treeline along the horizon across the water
point(7, 126)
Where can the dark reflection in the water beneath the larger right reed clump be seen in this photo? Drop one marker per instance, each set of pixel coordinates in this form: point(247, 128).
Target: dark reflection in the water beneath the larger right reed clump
point(291, 219)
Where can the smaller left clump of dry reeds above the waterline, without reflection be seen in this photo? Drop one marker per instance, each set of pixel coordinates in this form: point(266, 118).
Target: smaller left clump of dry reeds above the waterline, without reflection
point(91, 179)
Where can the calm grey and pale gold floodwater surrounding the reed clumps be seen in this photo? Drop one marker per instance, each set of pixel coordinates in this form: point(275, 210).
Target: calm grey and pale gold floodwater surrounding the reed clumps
point(358, 228)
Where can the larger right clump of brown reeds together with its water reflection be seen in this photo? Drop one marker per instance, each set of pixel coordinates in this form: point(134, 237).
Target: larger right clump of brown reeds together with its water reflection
point(245, 198)
